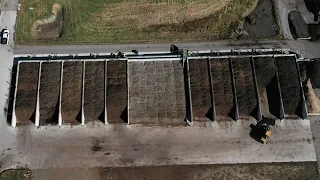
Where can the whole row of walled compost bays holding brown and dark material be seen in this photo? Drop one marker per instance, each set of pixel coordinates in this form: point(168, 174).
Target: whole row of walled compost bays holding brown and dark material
point(157, 89)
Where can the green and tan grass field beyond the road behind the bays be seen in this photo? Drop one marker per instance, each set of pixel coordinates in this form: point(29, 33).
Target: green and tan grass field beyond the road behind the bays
point(139, 21)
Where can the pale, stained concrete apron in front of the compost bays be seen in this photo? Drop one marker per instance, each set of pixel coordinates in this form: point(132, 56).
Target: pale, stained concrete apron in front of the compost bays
point(132, 145)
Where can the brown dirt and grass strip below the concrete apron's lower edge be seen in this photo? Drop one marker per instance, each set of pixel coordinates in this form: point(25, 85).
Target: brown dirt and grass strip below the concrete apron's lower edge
point(262, 171)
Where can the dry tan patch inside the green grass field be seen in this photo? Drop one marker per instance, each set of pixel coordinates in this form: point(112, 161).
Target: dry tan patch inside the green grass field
point(145, 14)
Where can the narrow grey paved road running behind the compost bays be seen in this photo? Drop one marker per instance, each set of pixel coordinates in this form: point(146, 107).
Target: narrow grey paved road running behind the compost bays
point(309, 49)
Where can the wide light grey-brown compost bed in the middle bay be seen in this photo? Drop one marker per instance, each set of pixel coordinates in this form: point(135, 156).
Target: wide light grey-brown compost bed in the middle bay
point(156, 93)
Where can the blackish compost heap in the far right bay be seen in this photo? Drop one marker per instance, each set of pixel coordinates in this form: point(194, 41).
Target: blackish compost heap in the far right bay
point(289, 84)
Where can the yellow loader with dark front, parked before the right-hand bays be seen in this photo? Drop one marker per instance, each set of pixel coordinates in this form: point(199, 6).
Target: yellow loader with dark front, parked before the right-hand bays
point(260, 132)
